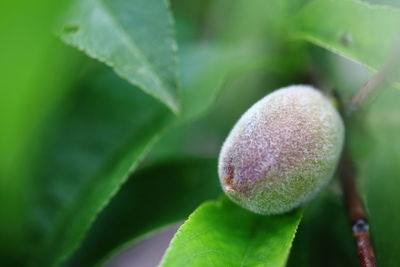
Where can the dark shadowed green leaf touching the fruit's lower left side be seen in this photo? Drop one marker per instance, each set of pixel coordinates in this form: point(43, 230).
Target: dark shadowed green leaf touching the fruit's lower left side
point(158, 195)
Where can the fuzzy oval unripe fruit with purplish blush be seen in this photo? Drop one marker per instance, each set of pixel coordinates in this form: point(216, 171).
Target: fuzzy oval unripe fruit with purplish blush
point(282, 150)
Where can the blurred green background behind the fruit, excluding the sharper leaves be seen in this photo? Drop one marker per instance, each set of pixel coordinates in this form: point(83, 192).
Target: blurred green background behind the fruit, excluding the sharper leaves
point(68, 122)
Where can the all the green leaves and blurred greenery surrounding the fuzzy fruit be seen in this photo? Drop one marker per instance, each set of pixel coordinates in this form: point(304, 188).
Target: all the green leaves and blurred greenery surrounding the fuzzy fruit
point(73, 130)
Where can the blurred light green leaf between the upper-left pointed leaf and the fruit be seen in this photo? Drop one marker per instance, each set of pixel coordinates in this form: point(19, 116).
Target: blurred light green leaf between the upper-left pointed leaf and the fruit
point(204, 69)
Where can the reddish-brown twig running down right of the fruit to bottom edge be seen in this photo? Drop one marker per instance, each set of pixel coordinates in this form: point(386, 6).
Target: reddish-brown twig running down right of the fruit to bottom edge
point(356, 213)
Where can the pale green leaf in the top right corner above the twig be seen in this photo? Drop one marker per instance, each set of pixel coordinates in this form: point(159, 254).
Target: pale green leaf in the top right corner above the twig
point(357, 30)
